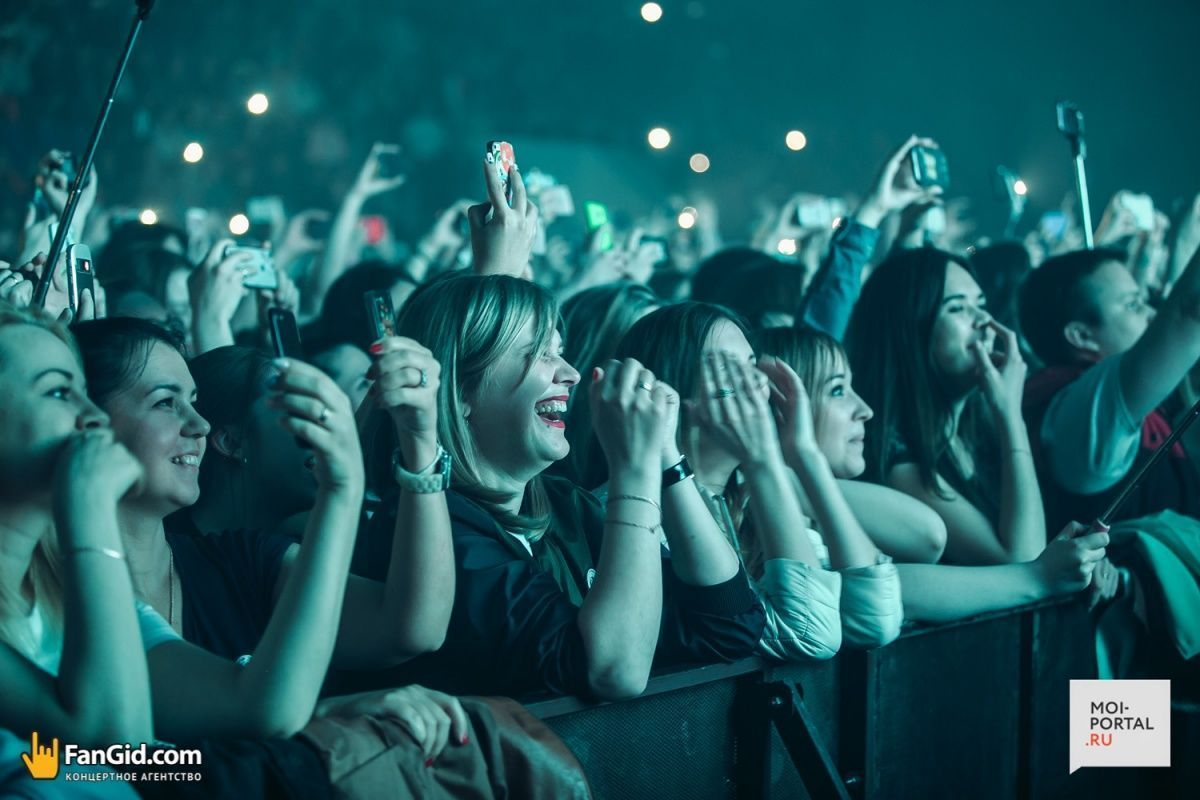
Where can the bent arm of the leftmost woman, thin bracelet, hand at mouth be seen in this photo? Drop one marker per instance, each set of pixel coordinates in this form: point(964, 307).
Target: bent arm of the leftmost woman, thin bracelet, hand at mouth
point(101, 694)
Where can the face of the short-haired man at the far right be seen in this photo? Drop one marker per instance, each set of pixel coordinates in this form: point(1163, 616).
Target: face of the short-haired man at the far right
point(1121, 315)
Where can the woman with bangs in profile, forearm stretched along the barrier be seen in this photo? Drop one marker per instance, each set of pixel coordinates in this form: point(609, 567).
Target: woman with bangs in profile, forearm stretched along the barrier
point(933, 593)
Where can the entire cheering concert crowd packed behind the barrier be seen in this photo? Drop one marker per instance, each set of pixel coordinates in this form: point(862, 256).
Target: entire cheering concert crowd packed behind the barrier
point(566, 462)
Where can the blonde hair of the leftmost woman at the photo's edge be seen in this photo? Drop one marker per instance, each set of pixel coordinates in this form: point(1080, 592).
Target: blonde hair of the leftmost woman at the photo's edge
point(45, 576)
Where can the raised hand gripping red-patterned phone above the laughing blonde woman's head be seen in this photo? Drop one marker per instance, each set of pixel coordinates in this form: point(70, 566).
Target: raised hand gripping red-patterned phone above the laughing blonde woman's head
point(503, 244)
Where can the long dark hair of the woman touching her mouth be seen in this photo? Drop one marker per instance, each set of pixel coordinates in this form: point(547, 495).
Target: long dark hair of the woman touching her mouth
point(890, 344)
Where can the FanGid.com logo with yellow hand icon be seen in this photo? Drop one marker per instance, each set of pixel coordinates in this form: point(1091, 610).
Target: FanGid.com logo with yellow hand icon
point(45, 762)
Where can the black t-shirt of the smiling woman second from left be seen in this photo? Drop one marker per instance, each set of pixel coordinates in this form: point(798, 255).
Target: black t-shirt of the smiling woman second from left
point(229, 584)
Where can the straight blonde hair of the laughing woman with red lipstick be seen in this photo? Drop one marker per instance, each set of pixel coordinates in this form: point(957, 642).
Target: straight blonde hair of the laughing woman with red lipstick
point(470, 322)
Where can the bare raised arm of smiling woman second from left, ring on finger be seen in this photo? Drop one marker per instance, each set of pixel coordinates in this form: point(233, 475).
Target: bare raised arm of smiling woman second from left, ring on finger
point(200, 695)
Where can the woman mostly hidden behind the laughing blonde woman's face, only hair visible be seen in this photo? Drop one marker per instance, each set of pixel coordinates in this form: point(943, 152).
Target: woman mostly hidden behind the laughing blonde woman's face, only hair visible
point(595, 321)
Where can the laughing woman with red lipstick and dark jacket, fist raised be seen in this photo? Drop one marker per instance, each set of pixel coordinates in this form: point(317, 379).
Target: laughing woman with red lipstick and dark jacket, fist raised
point(554, 594)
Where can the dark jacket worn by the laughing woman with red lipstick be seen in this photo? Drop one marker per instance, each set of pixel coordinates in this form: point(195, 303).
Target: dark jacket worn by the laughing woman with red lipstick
point(514, 627)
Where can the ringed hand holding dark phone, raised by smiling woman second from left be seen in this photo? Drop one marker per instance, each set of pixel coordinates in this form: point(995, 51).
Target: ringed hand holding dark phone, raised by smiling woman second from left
point(319, 413)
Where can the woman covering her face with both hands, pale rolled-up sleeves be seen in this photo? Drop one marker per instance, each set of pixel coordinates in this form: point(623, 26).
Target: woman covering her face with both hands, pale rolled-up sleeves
point(743, 477)
